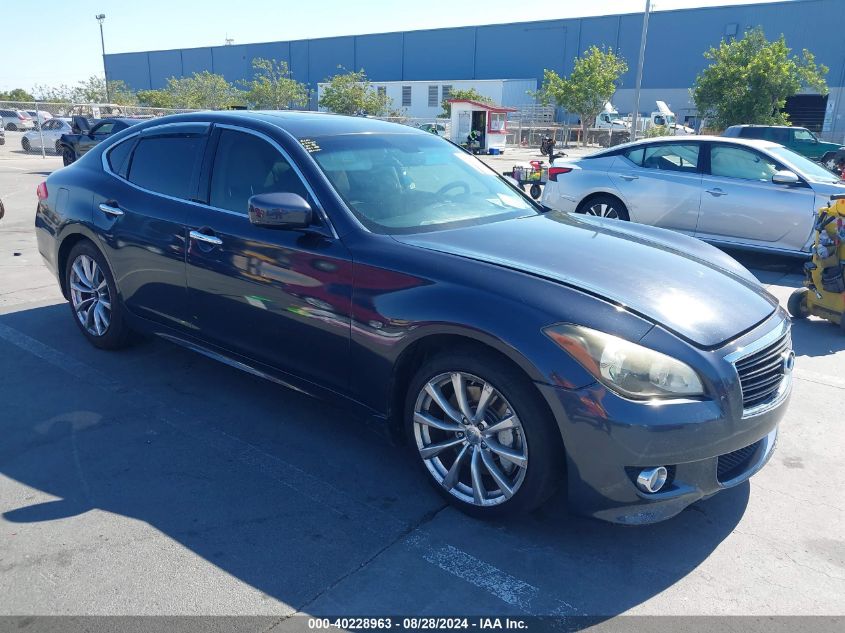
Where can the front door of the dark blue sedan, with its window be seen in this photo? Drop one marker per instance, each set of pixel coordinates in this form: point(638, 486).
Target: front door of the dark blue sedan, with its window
point(280, 297)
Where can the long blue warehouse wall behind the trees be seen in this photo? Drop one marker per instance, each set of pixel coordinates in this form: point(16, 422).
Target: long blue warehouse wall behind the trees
point(677, 40)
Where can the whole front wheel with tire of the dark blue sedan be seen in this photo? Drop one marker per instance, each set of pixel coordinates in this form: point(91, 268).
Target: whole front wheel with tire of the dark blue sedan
point(482, 434)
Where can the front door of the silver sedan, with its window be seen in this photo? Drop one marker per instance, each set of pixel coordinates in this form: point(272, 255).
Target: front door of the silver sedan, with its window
point(741, 203)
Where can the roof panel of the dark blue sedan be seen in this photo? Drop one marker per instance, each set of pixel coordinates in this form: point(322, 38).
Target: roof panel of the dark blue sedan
point(298, 123)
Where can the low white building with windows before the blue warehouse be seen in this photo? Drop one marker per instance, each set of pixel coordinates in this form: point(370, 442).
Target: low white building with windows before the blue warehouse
point(423, 99)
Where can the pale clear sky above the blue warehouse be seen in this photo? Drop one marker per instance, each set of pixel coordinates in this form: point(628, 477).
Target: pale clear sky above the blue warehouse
point(59, 40)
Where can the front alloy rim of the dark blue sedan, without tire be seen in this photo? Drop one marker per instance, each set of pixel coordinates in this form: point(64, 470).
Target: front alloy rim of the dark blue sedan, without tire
point(470, 438)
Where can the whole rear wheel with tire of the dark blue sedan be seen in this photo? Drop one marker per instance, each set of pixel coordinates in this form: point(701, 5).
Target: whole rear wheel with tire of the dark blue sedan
point(94, 302)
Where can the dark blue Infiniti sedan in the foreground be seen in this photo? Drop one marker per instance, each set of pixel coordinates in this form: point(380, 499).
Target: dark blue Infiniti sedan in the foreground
point(387, 269)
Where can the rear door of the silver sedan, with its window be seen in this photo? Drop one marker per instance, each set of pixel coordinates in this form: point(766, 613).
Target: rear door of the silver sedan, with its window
point(661, 183)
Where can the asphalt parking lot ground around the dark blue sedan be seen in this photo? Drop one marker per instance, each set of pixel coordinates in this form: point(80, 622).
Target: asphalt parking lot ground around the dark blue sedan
point(156, 481)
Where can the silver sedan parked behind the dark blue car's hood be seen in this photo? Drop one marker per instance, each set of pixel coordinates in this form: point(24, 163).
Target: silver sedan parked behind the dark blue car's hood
point(732, 192)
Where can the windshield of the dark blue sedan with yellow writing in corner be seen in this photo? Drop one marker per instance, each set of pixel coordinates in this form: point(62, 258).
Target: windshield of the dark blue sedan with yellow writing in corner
point(407, 183)
